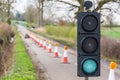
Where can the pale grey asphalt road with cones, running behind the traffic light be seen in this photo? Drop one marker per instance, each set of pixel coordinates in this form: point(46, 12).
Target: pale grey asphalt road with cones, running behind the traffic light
point(55, 69)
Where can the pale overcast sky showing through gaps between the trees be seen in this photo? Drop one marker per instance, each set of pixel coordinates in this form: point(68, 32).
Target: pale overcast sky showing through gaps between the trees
point(21, 5)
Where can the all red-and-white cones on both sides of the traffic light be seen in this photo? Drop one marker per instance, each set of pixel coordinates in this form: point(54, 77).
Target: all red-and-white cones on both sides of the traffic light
point(42, 43)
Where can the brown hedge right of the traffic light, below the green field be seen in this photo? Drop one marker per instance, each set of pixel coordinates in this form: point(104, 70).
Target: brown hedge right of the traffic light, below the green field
point(110, 48)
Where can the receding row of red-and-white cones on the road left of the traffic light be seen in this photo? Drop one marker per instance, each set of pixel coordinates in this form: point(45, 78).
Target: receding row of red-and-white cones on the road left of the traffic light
point(43, 43)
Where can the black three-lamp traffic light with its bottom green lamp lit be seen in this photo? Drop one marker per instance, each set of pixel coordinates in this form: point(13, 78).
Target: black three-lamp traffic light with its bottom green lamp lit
point(88, 44)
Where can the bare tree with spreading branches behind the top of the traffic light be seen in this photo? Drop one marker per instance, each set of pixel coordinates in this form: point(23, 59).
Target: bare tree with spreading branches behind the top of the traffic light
point(99, 5)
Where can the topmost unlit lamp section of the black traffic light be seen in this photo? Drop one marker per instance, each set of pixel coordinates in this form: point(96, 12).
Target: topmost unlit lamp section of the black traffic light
point(94, 17)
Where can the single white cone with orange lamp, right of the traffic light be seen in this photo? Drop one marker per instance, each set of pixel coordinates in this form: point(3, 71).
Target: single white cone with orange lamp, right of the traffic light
point(113, 66)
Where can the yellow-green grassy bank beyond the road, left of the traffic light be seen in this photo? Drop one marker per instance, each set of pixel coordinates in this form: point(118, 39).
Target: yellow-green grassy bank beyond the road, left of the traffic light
point(65, 35)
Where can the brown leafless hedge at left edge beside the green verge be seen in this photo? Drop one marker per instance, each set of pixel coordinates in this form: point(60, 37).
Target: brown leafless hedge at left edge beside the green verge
point(6, 48)
